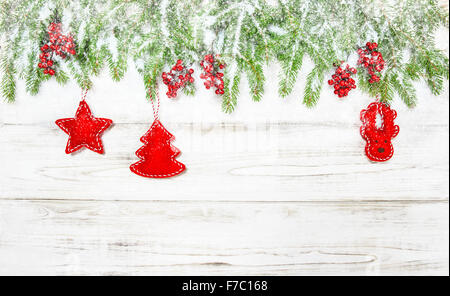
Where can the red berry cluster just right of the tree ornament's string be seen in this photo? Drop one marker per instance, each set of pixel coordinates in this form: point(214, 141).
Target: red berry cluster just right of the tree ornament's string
point(177, 78)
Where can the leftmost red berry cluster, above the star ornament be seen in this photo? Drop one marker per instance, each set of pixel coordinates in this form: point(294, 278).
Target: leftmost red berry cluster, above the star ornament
point(55, 44)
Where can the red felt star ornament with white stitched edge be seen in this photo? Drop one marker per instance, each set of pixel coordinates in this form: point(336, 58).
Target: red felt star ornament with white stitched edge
point(84, 130)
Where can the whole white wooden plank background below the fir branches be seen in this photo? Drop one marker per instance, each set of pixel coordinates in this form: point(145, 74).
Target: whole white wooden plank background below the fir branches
point(272, 189)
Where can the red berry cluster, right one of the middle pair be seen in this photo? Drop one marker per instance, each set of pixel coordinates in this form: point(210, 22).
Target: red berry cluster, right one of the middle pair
point(211, 73)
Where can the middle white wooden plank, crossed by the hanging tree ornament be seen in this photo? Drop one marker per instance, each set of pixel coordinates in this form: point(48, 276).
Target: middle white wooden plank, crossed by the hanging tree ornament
point(284, 162)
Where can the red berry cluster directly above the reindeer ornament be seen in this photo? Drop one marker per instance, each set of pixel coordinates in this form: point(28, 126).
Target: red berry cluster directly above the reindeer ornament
point(372, 60)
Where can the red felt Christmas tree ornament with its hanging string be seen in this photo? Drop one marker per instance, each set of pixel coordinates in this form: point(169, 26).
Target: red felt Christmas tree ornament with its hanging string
point(157, 155)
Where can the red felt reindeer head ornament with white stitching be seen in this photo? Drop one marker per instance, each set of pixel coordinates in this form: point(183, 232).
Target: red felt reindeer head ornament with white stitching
point(379, 146)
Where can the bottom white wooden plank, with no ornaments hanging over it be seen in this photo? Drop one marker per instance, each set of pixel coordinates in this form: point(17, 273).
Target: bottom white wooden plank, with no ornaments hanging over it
point(214, 238)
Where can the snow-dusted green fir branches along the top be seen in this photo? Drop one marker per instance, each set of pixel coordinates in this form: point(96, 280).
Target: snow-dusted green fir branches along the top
point(247, 34)
